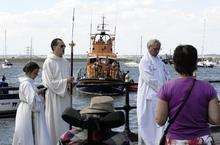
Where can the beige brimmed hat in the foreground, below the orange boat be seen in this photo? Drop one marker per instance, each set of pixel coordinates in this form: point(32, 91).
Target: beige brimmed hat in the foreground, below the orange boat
point(99, 104)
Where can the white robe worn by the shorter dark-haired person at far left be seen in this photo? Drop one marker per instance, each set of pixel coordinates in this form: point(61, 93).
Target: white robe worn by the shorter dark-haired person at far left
point(30, 124)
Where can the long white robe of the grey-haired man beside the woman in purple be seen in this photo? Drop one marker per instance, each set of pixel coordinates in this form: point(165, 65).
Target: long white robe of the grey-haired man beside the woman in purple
point(152, 75)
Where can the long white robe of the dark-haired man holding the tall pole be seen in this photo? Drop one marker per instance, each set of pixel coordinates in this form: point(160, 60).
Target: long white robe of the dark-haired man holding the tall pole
point(55, 72)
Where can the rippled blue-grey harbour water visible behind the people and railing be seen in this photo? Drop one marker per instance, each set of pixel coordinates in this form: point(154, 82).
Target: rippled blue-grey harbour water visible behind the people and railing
point(81, 100)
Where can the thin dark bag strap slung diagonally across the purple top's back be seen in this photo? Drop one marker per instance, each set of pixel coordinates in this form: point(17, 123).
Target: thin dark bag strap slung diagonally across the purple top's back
point(171, 121)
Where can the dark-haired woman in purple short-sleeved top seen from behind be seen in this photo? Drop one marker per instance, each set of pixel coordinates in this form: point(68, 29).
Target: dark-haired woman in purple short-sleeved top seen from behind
point(191, 126)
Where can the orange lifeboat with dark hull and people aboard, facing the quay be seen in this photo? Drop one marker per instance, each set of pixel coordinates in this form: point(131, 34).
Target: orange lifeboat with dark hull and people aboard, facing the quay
point(102, 74)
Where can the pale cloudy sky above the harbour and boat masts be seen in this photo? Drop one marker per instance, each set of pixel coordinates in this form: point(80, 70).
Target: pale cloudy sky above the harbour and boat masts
point(173, 22)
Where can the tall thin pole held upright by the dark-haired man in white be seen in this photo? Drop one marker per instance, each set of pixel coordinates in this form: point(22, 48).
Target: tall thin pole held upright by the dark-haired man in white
point(72, 44)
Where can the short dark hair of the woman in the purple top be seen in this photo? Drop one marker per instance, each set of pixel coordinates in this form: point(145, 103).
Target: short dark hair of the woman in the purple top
point(185, 59)
